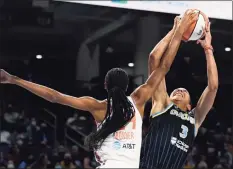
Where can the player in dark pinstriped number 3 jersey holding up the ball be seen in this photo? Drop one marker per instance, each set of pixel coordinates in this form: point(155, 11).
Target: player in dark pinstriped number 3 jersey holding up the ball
point(174, 124)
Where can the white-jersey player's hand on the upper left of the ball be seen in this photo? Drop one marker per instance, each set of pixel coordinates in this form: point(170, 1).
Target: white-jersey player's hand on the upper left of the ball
point(190, 16)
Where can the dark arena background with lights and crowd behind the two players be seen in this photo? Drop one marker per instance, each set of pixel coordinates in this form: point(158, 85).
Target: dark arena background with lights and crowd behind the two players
point(70, 47)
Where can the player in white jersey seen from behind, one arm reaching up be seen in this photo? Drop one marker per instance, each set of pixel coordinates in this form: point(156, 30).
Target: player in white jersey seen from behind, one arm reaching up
point(117, 141)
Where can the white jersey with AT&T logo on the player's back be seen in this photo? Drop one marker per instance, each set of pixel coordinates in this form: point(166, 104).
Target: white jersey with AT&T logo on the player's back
point(122, 149)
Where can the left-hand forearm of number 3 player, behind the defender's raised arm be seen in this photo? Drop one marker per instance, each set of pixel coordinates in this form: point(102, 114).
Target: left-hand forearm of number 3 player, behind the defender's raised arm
point(158, 51)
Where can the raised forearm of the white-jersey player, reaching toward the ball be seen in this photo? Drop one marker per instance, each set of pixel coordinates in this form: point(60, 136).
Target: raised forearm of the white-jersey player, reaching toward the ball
point(172, 49)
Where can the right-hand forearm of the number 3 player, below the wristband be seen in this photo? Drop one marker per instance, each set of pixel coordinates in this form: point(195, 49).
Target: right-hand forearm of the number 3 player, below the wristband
point(212, 71)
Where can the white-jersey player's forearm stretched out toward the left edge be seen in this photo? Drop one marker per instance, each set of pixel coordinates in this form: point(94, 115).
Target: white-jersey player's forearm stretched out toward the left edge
point(39, 90)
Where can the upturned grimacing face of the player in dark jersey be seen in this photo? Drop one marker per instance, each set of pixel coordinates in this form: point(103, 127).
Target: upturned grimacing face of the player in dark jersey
point(181, 95)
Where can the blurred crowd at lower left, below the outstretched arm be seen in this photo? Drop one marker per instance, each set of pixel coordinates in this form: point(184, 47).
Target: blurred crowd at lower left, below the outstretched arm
point(27, 142)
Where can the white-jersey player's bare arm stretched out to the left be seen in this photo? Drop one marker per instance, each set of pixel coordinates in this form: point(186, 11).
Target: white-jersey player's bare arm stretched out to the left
point(83, 103)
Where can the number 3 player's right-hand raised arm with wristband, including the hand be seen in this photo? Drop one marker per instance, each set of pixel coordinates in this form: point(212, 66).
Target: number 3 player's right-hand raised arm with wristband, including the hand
point(207, 98)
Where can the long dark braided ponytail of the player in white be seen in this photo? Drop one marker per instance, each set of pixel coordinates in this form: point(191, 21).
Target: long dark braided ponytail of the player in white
point(119, 109)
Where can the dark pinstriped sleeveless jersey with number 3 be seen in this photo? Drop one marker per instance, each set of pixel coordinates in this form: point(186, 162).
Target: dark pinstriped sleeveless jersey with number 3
point(170, 136)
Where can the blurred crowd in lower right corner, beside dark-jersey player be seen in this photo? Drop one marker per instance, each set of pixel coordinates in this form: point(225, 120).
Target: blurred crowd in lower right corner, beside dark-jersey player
point(212, 149)
